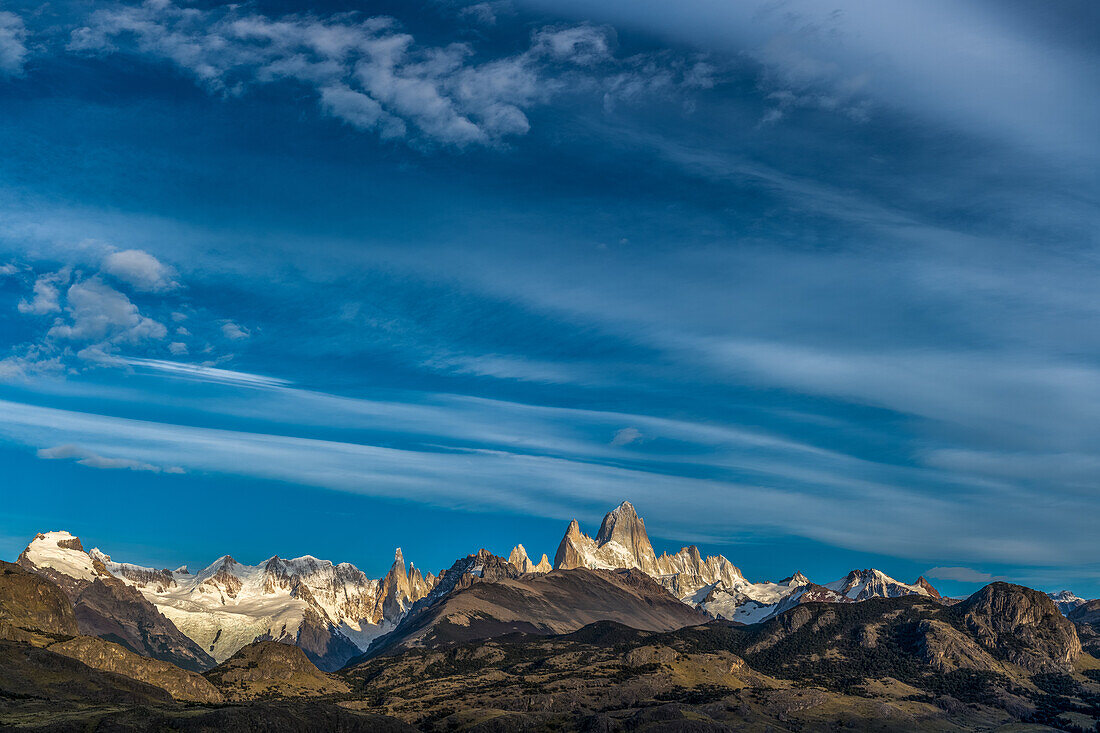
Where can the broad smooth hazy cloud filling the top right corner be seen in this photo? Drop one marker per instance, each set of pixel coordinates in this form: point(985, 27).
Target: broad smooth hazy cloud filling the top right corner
point(978, 68)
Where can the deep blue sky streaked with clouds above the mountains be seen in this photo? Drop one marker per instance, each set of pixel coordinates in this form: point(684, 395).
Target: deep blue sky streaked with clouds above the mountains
point(812, 286)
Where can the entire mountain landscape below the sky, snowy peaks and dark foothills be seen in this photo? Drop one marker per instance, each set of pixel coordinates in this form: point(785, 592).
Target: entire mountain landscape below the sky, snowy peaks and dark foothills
point(611, 638)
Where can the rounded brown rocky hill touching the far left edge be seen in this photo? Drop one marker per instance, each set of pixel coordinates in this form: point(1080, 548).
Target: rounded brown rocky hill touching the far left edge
point(32, 609)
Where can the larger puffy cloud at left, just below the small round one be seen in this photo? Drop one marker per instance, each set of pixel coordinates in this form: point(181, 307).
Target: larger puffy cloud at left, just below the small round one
point(102, 315)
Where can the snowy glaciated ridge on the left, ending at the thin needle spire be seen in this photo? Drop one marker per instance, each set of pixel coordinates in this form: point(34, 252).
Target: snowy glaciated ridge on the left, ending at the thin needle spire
point(332, 611)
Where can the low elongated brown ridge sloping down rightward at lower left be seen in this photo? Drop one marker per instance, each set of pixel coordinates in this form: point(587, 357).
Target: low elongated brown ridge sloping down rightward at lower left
point(106, 657)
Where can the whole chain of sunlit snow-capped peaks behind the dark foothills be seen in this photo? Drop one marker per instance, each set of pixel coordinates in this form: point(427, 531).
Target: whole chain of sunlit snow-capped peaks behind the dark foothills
point(335, 614)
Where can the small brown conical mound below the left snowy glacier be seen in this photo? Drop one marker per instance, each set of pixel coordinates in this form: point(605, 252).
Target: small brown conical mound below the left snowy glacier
point(270, 670)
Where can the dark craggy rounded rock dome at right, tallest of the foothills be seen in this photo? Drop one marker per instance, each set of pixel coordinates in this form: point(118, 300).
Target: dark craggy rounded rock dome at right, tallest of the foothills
point(1021, 626)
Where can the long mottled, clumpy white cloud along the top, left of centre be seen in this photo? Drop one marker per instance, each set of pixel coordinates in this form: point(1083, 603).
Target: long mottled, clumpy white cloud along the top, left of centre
point(371, 74)
